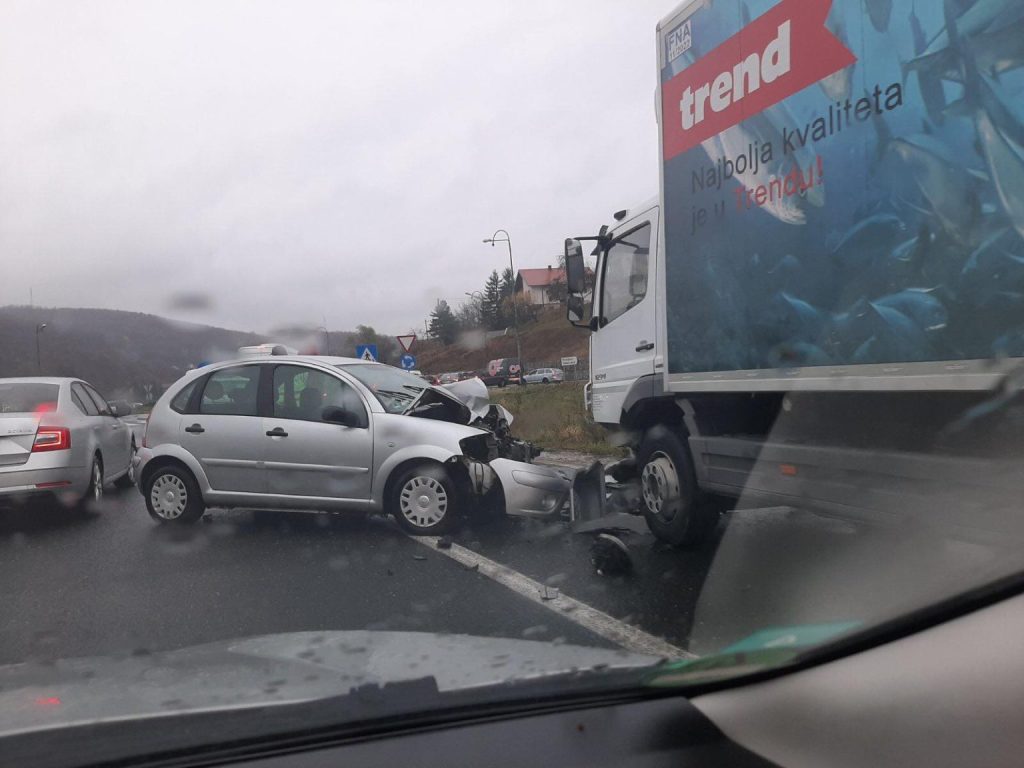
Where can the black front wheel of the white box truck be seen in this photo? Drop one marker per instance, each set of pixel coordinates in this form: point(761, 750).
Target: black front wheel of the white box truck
point(676, 510)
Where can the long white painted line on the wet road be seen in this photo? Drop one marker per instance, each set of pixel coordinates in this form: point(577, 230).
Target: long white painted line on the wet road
point(587, 617)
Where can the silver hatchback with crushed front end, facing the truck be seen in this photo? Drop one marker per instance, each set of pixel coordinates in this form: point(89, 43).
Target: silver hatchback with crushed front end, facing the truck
point(331, 434)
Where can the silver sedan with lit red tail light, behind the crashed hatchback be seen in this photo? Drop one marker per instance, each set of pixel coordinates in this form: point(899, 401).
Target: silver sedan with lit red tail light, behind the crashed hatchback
point(61, 438)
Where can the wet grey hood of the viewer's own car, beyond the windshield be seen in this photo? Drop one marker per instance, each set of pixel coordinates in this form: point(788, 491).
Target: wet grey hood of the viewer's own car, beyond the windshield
point(274, 670)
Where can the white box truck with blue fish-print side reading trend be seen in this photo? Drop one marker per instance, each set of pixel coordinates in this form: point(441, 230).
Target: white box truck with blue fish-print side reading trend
point(825, 307)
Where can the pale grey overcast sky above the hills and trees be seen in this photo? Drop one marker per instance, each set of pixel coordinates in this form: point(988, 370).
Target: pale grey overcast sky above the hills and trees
point(297, 160)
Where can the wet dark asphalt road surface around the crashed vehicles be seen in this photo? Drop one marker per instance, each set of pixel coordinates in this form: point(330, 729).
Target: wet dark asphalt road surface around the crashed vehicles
point(113, 582)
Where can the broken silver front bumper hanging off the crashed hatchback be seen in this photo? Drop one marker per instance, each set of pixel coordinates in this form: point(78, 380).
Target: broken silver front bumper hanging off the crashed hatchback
point(530, 490)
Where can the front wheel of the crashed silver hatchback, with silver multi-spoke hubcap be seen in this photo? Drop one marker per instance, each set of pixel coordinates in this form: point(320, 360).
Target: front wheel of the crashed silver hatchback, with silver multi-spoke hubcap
point(424, 501)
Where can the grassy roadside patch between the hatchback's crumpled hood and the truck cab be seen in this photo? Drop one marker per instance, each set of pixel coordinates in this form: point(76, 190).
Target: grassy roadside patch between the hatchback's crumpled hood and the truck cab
point(553, 417)
